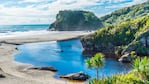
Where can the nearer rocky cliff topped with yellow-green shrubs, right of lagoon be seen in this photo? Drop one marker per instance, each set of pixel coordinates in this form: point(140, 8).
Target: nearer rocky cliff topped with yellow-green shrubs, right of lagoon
point(130, 35)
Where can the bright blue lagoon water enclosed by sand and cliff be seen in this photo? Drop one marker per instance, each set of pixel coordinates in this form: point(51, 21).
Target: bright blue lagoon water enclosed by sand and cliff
point(66, 56)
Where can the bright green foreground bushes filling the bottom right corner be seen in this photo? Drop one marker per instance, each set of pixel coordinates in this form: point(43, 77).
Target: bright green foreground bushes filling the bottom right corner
point(139, 75)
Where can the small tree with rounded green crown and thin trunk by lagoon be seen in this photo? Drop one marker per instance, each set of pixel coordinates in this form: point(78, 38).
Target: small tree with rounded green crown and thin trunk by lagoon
point(96, 62)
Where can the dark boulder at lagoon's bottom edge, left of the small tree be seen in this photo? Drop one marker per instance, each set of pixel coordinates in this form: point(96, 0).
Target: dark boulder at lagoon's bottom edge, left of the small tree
point(76, 76)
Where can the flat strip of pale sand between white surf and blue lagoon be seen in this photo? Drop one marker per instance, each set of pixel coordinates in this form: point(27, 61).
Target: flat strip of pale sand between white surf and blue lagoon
point(64, 35)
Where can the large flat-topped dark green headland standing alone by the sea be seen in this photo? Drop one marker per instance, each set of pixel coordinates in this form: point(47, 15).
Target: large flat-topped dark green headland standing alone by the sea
point(75, 20)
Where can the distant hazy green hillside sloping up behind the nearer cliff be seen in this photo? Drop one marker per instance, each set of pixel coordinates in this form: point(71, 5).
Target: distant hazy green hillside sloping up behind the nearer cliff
point(125, 14)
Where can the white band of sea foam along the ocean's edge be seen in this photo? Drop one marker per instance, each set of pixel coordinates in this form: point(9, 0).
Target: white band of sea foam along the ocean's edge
point(26, 33)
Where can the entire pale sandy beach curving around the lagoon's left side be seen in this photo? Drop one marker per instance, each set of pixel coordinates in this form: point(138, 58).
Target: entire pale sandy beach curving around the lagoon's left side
point(18, 73)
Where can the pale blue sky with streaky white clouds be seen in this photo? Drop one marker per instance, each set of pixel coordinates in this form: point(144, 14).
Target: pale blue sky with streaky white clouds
point(44, 11)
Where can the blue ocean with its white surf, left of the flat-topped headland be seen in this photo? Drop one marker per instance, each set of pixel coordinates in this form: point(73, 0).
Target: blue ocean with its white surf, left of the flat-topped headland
point(23, 30)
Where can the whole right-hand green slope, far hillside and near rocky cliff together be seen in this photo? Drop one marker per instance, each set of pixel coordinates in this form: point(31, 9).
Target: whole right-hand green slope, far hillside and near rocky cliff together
point(124, 30)
